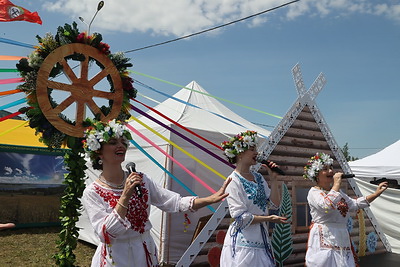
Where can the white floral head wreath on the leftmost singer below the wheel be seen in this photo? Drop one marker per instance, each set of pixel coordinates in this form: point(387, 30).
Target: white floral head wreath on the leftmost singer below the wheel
point(101, 132)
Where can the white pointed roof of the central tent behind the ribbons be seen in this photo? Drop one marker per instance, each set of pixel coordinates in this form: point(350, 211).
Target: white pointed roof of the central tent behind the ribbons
point(201, 119)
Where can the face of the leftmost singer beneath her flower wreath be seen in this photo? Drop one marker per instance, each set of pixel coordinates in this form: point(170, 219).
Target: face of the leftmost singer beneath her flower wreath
point(114, 151)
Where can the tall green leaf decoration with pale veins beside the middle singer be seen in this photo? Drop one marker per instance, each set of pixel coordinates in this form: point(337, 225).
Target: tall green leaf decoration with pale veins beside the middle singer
point(282, 234)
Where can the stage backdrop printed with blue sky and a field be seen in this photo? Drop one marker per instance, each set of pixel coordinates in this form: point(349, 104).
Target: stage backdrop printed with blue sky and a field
point(30, 185)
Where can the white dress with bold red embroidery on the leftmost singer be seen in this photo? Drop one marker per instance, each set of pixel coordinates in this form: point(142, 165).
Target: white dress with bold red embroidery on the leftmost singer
point(127, 241)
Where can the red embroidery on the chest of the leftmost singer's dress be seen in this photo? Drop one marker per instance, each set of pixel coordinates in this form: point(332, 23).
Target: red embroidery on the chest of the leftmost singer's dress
point(137, 208)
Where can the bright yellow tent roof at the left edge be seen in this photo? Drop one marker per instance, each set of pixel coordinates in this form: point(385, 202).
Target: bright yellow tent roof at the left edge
point(21, 136)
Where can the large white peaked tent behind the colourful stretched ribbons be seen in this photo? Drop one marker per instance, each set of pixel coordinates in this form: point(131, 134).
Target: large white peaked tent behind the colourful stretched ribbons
point(169, 230)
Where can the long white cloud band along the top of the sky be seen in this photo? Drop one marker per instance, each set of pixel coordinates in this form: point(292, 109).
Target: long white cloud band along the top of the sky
point(180, 17)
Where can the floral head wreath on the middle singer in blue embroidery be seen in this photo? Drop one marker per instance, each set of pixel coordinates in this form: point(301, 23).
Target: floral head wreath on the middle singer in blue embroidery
point(239, 143)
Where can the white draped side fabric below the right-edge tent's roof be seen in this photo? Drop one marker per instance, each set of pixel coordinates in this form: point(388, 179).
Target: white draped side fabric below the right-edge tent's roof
point(386, 210)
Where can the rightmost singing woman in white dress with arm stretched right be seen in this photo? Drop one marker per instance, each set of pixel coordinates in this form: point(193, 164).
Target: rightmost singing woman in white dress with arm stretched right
point(329, 242)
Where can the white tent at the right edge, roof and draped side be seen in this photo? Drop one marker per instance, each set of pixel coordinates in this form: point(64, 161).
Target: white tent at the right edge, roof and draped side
point(385, 163)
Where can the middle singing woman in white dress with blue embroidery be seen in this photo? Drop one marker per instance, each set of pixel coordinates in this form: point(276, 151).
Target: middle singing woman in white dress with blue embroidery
point(246, 242)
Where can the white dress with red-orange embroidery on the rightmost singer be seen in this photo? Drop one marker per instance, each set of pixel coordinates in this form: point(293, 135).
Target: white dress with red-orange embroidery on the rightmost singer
point(329, 242)
